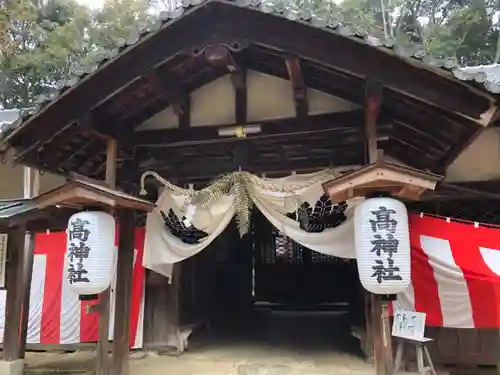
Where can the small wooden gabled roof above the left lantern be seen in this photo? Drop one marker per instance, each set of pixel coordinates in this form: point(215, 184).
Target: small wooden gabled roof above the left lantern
point(78, 193)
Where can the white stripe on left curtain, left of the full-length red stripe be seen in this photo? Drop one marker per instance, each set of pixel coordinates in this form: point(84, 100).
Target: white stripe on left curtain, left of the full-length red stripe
point(36, 299)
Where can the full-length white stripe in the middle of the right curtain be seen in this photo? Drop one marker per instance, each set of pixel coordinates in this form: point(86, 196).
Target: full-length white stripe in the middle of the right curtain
point(452, 286)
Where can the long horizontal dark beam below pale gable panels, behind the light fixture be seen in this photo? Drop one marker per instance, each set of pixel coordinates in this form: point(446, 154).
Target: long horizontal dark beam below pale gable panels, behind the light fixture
point(270, 128)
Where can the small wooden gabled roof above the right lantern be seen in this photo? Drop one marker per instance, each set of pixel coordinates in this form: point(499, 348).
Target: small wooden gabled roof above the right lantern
point(381, 175)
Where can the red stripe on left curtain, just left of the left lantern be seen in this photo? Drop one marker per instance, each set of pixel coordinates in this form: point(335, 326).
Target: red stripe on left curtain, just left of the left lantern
point(53, 246)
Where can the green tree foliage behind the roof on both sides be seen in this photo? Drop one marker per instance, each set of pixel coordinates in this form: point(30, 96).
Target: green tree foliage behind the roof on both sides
point(41, 40)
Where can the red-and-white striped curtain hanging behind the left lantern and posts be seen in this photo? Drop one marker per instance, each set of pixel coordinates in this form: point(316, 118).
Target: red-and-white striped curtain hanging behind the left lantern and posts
point(56, 316)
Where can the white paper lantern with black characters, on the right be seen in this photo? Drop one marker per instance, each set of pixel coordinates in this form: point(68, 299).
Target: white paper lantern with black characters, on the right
point(382, 245)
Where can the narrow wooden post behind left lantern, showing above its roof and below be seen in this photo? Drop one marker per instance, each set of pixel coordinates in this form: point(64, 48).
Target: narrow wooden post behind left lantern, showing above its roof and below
point(103, 343)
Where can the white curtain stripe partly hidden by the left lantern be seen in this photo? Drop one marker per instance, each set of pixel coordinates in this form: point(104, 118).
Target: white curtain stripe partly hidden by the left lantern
point(70, 312)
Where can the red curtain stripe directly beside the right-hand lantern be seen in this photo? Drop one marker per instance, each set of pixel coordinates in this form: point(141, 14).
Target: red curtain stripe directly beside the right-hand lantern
point(424, 284)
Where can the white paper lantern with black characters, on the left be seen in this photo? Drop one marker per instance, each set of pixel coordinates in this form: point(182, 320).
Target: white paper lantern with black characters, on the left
point(90, 252)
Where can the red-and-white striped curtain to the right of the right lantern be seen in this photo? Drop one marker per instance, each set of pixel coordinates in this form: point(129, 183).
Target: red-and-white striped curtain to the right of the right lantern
point(455, 273)
